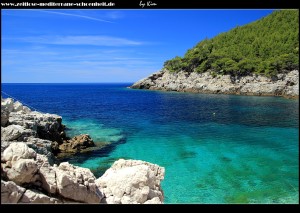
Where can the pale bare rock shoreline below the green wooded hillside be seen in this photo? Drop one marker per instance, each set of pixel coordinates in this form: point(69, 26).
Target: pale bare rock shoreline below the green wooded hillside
point(286, 85)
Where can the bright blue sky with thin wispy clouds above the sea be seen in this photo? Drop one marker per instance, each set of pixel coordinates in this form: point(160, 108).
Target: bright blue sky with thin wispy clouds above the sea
point(62, 46)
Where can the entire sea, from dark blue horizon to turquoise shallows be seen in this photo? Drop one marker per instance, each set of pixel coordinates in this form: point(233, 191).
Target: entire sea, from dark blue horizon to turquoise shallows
point(215, 148)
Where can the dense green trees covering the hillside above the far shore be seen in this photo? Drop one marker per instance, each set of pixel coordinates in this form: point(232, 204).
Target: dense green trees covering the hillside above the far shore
point(268, 46)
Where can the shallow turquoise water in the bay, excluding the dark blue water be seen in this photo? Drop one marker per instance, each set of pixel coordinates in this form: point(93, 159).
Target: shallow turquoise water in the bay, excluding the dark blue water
point(213, 163)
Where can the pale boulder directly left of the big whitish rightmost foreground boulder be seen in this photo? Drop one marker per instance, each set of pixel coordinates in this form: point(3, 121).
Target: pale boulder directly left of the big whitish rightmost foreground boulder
point(77, 183)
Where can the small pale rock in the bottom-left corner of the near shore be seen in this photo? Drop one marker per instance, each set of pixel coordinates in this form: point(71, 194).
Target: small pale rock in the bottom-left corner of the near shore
point(11, 192)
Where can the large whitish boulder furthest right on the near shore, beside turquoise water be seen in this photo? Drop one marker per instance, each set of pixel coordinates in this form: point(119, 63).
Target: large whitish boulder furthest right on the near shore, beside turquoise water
point(132, 181)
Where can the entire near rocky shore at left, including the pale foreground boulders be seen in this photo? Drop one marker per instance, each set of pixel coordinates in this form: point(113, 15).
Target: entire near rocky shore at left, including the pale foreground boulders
point(29, 142)
